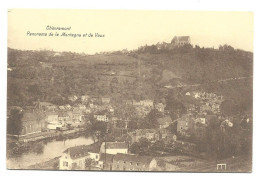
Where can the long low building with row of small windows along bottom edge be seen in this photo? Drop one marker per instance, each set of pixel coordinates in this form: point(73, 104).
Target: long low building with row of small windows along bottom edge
point(128, 162)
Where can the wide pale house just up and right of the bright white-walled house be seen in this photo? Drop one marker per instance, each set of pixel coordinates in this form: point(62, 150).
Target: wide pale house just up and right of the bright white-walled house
point(149, 134)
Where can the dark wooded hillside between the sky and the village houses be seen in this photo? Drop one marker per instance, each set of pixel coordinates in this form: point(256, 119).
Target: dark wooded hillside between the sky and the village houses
point(52, 76)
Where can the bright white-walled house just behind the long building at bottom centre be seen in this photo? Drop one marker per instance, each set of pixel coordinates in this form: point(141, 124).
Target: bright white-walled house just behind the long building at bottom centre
point(114, 147)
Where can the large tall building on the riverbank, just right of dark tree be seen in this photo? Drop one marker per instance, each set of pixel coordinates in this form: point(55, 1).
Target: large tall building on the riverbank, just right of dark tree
point(32, 123)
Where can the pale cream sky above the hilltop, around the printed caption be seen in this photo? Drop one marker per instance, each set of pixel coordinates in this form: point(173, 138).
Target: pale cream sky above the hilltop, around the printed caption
point(126, 29)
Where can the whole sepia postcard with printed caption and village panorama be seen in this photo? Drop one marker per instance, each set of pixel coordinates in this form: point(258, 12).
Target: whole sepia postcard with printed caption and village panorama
point(129, 90)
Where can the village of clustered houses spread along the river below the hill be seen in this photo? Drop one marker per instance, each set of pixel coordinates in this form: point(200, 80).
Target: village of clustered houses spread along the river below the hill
point(121, 145)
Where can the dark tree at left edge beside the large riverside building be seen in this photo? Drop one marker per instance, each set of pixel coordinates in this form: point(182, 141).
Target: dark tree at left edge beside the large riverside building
point(14, 123)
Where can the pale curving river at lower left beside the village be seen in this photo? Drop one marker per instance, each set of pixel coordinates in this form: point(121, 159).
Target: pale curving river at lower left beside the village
point(44, 151)
